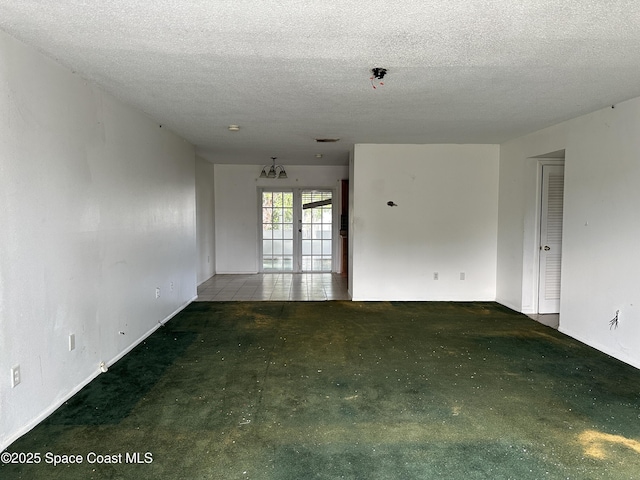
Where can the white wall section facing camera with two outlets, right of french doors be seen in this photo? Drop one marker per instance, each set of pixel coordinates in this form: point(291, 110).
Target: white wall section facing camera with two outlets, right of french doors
point(445, 222)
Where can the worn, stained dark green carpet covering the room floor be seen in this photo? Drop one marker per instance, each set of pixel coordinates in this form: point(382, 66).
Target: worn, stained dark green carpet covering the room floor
point(351, 390)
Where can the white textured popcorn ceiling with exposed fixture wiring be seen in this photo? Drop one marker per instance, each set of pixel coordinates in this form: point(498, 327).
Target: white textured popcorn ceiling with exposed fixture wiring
point(460, 71)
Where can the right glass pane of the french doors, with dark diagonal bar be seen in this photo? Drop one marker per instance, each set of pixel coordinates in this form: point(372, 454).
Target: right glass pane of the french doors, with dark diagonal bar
point(316, 231)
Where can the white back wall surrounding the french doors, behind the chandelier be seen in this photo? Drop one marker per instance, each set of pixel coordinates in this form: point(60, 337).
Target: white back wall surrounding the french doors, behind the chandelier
point(236, 208)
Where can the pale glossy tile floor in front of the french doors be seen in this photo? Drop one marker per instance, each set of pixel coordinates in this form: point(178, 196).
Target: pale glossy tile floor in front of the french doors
point(298, 287)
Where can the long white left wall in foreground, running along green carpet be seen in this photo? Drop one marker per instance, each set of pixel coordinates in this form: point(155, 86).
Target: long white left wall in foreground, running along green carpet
point(98, 210)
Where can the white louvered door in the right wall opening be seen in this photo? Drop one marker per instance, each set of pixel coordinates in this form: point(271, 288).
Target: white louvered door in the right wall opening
point(551, 239)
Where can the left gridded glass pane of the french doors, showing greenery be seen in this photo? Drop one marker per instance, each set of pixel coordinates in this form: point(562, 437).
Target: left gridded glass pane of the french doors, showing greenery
point(277, 231)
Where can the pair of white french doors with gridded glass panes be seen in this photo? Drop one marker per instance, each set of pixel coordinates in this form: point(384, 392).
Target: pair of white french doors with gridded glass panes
point(297, 230)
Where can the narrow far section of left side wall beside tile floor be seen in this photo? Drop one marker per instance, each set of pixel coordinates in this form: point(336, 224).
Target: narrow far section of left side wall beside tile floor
point(205, 219)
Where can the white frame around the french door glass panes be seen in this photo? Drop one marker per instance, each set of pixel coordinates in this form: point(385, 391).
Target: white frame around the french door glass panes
point(297, 215)
